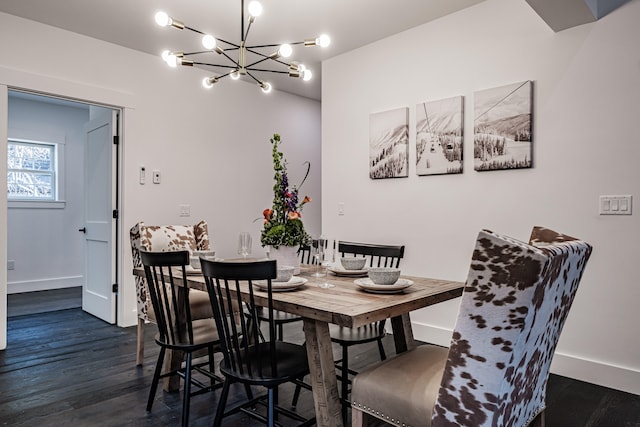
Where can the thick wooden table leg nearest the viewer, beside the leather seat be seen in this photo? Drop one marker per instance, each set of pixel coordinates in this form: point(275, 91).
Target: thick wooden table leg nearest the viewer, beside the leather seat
point(323, 374)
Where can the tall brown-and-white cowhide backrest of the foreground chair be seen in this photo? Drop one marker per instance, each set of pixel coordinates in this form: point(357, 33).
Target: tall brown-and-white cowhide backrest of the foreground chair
point(512, 311)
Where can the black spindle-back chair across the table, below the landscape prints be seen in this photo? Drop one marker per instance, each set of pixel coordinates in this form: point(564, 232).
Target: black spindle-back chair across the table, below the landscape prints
point(378, 256)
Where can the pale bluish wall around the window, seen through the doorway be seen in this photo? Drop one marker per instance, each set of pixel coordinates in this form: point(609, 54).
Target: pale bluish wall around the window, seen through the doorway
point(44, 242)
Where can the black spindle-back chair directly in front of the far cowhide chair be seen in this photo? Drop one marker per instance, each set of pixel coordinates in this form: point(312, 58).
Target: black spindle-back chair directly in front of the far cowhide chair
point(178, 330)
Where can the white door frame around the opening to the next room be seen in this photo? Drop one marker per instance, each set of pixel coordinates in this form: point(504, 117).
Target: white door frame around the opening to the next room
point(50, 86)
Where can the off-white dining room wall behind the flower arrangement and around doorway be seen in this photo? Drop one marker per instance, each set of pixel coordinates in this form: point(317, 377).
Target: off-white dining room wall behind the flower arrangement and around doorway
point(212, 147)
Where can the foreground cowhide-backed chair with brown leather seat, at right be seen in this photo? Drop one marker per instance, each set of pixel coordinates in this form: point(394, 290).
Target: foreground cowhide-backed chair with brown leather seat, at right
point(514, 305)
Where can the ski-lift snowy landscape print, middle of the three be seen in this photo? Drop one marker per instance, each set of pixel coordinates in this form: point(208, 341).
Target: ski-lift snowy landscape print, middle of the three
point(439, 127)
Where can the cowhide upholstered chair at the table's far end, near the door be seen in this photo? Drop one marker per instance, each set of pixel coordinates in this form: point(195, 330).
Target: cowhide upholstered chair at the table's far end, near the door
point(165, 238)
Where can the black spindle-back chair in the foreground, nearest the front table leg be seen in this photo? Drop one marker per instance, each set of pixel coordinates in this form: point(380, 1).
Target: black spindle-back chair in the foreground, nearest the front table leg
point(267, 362)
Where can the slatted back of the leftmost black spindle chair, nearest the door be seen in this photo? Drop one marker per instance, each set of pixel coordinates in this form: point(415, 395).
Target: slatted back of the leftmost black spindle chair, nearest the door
point(169, 294)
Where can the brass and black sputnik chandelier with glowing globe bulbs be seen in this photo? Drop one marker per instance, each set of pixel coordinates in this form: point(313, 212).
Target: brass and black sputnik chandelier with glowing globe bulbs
point(235, 56)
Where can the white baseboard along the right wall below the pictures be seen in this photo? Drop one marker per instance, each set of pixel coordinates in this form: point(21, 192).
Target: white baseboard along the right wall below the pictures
point(572, 366)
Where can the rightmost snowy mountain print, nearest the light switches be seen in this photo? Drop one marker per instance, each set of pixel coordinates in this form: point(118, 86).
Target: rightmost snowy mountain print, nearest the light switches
point(502, 127)
